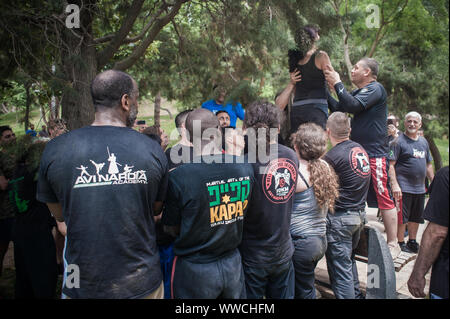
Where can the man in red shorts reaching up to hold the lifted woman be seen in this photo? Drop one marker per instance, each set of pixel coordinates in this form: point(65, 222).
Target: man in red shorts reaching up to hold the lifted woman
point(368, 103)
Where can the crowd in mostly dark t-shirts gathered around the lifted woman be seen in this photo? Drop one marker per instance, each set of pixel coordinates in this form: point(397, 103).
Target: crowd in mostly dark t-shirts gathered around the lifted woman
point(225, 215)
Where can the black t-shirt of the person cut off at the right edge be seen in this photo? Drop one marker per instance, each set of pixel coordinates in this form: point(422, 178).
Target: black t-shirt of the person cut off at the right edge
point(437, 211)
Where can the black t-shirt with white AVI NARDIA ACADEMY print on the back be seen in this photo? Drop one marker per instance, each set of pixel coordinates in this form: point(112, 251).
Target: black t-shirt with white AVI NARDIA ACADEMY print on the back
point(107, 178)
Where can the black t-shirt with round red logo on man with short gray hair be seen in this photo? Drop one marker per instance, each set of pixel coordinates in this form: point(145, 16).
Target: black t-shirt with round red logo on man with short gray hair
point(351, 163)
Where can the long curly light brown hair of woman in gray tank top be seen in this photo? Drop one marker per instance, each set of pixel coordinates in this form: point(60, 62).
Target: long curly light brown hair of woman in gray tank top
point(310, 142)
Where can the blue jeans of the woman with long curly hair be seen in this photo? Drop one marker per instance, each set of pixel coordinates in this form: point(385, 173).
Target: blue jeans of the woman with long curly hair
point(308, 251)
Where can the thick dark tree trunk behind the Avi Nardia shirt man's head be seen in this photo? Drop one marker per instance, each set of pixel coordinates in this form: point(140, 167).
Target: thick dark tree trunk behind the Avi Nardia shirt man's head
point(80, 65)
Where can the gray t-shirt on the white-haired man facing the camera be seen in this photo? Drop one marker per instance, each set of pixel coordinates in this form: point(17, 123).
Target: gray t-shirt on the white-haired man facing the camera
point(411, 159)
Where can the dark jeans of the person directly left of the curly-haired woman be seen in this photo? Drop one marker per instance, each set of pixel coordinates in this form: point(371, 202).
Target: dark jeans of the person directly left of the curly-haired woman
point(272, 281)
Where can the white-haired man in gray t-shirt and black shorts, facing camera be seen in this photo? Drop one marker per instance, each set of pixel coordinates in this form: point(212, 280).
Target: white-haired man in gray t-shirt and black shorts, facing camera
point(409, 164)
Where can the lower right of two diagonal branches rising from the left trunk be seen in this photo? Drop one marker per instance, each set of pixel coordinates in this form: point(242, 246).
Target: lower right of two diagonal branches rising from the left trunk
point(155, 29)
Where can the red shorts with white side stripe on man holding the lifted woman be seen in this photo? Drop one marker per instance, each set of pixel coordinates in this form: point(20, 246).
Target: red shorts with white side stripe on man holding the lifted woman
point(380, 187)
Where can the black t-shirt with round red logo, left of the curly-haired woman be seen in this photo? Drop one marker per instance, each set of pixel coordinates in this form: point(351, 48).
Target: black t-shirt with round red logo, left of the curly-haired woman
point(266, 239)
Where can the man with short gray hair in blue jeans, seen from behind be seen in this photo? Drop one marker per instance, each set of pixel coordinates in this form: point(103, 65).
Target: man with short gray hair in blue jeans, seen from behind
point(351, 163)
